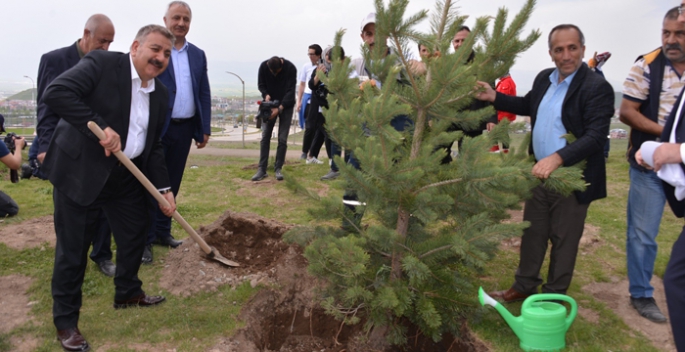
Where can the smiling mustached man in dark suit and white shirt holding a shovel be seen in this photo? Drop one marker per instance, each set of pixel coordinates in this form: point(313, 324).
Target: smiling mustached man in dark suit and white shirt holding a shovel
point(120, 94)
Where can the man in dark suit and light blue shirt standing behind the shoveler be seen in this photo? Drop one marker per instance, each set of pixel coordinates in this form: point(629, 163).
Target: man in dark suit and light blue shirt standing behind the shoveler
point(188, 115)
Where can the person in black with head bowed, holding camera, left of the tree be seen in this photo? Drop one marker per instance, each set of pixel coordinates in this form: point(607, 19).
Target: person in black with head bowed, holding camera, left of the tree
point(276, 80)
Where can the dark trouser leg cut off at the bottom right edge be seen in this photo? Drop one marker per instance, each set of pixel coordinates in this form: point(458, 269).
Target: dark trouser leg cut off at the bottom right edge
point(674, 285)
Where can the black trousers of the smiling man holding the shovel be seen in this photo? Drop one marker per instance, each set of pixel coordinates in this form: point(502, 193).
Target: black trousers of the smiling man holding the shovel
point(124, 203)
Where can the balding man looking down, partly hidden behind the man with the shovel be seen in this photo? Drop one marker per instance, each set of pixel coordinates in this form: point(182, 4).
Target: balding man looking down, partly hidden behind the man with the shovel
point(98, 34)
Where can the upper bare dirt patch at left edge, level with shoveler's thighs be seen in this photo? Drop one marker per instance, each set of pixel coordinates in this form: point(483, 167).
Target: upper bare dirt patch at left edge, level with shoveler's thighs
point(30, 233)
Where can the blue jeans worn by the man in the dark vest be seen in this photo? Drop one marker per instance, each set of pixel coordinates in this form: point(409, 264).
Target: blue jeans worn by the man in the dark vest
point(646, 202)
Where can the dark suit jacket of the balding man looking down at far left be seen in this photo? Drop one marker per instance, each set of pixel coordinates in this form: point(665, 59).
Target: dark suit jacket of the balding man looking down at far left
point(51, 65)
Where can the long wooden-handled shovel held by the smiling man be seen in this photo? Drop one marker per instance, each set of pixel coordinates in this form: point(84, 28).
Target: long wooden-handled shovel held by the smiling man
point(211, 252)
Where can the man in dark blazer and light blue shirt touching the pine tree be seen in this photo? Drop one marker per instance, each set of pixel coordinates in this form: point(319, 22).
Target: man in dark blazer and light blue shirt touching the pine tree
point(567, 99)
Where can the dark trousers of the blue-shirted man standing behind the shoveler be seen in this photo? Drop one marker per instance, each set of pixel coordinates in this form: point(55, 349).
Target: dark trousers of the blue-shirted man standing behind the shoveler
point(176, 141)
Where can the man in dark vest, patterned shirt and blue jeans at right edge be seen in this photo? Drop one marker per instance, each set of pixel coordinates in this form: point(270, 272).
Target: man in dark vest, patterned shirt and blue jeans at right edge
point(653, 84)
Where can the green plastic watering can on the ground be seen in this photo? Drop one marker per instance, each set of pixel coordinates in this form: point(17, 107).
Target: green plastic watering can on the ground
point(542, 325)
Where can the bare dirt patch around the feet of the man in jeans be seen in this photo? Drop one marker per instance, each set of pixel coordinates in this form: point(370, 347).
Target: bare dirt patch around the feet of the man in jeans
point(615, 295)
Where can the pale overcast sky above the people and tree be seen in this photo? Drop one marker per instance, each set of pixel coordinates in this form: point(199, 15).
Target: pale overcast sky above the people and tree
point(237, 36)
